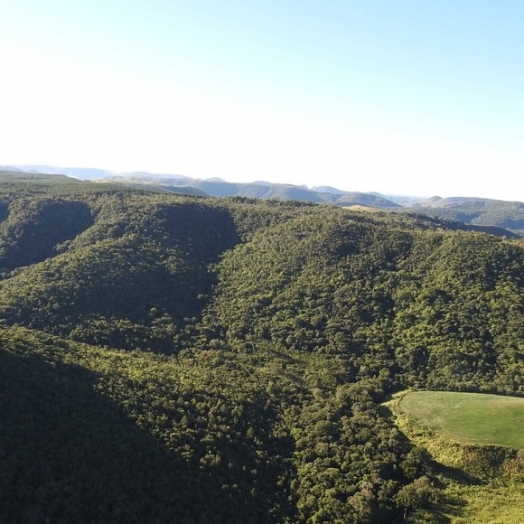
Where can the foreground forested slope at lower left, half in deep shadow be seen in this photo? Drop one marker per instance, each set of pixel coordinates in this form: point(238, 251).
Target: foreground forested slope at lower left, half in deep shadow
point(93, 435)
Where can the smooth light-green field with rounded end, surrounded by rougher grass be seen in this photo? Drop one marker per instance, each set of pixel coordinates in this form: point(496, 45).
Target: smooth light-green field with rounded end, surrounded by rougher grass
point(472, 418)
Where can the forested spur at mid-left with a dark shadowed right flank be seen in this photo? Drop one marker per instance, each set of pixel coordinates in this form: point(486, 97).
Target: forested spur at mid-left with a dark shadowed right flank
point(130, 279)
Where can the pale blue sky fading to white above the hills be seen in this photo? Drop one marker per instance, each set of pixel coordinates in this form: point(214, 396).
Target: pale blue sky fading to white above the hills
point(397, 96)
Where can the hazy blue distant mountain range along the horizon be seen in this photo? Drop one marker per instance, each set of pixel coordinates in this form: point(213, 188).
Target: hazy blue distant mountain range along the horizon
point(480, 212)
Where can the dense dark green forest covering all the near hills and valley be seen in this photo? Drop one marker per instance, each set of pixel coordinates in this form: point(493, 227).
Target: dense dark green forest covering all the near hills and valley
point(168, 358)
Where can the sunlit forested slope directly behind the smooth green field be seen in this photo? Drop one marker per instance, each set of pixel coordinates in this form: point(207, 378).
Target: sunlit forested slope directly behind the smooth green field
point(415, 306)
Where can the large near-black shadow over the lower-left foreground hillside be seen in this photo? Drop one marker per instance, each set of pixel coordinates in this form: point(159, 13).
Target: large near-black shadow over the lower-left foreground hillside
point(67, 454)
